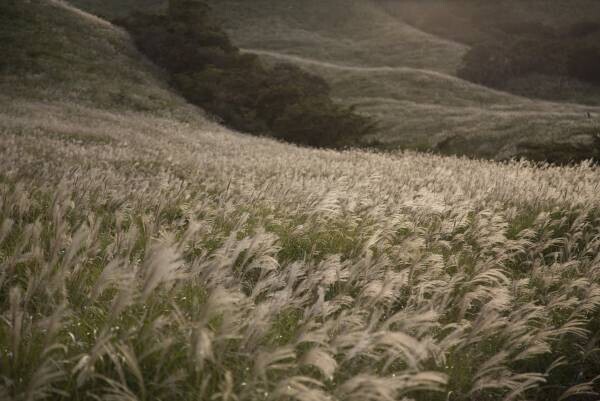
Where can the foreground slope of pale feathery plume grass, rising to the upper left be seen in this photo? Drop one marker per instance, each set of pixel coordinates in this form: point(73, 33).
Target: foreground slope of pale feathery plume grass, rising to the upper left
point(146, 254)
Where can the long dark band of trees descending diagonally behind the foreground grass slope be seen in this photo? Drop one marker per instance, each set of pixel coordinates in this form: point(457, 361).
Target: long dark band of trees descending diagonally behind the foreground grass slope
point(282, 101)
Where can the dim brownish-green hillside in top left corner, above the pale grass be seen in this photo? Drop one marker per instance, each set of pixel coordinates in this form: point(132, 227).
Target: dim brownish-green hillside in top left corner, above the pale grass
point(53, 52)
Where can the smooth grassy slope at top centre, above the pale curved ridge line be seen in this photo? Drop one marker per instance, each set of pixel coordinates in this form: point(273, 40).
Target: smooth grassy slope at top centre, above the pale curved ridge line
point(339, 31)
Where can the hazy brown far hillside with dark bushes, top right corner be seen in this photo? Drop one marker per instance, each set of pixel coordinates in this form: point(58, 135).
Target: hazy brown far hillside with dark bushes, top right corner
point(549, 48)
